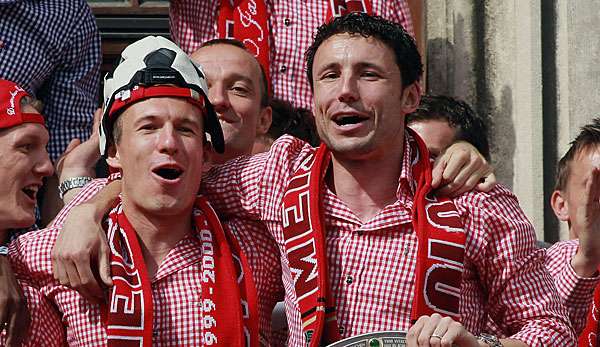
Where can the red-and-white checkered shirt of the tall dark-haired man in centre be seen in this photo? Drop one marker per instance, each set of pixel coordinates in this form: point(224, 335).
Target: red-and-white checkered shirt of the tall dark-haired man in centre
point(371, 265)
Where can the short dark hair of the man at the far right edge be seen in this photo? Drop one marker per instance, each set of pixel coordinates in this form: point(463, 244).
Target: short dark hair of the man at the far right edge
point(588, 136)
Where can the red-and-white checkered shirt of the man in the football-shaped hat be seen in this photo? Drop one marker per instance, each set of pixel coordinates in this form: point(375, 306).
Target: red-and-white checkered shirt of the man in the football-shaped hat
point(176, 287)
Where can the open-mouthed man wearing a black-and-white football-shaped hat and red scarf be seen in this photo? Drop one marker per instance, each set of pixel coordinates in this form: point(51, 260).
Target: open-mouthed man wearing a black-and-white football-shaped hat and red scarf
point(179, 278)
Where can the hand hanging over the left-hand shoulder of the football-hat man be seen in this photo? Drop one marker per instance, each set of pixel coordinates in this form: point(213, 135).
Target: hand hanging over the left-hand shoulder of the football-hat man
point(82, 241)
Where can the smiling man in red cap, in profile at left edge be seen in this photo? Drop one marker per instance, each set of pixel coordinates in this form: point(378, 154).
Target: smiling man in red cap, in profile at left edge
point(24, 162)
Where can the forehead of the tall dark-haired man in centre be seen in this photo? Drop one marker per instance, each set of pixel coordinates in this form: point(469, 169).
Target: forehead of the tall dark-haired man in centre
point(348, 48)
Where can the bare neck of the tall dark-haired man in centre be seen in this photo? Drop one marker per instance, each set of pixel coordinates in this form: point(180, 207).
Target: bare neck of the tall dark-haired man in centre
point(366, 186)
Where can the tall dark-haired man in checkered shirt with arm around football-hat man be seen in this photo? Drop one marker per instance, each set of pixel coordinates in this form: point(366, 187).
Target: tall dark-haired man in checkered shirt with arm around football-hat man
point(345, 224)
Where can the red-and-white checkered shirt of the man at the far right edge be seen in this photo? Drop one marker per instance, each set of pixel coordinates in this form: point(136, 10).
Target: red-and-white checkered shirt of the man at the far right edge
point(577, 292)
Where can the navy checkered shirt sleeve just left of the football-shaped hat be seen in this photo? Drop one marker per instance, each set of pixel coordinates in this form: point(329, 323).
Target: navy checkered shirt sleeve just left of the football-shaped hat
point(70, 95)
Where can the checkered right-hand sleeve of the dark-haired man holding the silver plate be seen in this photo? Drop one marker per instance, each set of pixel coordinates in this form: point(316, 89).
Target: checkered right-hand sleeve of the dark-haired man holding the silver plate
point(521, 297)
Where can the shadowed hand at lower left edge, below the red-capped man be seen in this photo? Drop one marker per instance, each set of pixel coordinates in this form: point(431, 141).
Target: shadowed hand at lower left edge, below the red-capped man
point(13, 308)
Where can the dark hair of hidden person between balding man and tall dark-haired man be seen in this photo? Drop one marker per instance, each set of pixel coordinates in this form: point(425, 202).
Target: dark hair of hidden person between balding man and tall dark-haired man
point(297, 122)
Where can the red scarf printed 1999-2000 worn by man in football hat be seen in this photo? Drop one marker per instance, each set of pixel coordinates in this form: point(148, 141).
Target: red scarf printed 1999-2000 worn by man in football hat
point(226, 280)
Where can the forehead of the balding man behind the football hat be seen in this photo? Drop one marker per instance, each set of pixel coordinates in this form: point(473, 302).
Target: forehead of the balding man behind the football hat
point(221, 61)
